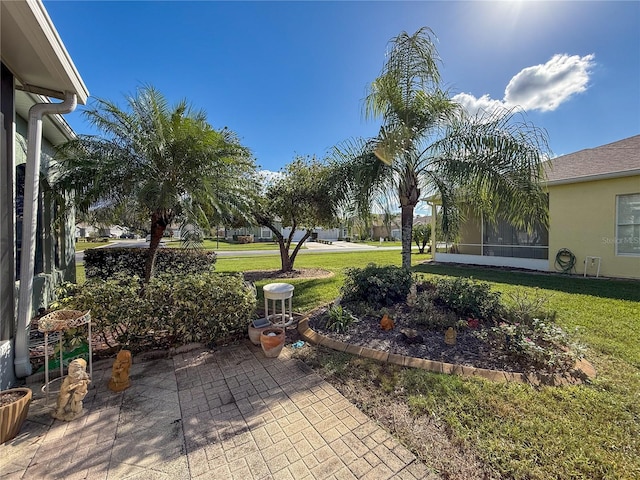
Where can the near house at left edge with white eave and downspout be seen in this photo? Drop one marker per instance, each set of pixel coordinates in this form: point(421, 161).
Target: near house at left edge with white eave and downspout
point(35, 66)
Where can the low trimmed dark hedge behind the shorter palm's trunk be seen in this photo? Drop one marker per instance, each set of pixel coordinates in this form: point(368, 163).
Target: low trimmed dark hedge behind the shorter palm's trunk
point(105, 263)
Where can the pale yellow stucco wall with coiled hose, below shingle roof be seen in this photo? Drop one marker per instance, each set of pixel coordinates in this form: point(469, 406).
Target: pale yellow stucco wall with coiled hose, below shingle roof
point(582, 218)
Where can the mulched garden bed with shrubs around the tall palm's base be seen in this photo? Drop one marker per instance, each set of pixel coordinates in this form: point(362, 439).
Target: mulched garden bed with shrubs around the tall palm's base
point(515, 334)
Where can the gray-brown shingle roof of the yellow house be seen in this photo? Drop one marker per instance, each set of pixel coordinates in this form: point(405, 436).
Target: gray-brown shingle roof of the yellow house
point(617, 159)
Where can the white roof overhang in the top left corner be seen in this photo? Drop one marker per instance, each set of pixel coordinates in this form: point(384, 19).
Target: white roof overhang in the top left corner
point(32, 49)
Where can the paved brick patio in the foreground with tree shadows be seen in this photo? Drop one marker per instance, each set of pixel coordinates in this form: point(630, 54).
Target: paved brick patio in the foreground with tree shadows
point(223, 414)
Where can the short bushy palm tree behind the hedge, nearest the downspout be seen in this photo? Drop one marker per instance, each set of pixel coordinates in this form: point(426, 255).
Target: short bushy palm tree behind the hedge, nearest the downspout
point(165, 161)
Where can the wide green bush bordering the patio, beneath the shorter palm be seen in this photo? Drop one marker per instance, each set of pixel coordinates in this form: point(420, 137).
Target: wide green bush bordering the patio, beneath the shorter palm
point(171, 309)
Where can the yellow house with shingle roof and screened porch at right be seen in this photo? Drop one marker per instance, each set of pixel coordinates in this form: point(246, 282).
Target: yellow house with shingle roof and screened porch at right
point(594, 213)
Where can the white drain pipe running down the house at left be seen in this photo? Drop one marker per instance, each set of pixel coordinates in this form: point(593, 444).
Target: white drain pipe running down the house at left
point(29, 224)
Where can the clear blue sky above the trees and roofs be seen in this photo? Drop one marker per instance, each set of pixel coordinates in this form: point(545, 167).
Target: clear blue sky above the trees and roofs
point(289, 77)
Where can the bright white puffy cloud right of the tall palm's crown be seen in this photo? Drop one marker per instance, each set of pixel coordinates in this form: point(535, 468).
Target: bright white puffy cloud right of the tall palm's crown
point(540, 87)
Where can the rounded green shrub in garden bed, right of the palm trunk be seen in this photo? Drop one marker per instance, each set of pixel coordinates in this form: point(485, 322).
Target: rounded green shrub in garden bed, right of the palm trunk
point(469, 298)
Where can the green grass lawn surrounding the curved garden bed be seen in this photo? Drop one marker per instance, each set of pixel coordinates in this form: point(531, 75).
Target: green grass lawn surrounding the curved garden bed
point(469, 428)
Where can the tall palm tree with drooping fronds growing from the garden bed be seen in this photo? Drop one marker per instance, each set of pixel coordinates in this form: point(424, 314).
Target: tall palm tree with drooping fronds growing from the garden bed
point(428, 145)
